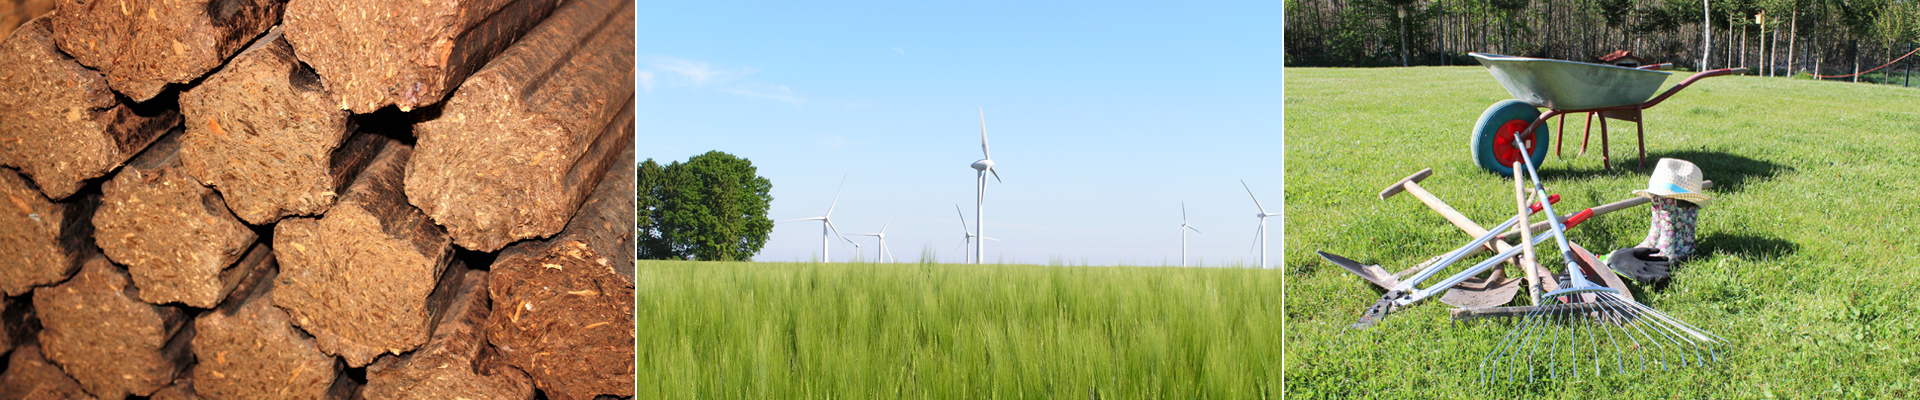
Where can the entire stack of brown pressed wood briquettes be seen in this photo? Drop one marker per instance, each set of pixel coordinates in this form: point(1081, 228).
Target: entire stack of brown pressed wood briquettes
point(318, 199)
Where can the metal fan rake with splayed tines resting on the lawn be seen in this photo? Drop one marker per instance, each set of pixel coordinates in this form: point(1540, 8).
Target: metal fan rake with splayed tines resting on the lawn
point(1583, 322)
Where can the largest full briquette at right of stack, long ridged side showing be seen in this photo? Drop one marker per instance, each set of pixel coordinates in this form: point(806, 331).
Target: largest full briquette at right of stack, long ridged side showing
point(521, 143)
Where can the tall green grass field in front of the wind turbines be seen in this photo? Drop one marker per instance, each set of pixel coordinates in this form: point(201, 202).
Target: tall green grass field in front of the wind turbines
point(713, 330)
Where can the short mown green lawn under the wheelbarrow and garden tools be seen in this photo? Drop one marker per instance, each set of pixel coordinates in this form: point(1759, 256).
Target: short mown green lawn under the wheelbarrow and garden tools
point(1808, 253)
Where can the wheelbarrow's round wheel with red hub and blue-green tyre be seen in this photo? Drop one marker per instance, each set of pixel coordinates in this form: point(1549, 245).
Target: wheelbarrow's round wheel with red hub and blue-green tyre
point(1493, 137)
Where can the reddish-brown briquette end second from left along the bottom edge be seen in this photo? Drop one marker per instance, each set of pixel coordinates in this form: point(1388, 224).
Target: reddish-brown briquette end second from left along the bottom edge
point(110, 341)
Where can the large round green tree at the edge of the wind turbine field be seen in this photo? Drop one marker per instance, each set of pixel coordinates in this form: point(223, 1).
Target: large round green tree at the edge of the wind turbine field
point(709, 209)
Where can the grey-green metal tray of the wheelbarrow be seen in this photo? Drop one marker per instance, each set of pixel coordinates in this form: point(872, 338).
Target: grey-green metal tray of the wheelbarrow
point(1572, 86)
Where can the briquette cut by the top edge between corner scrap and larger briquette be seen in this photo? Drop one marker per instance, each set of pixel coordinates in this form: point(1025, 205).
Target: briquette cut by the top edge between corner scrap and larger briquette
point(141, 47)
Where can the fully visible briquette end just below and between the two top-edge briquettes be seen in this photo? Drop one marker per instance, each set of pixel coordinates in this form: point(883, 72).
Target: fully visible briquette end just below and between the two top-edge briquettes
point(266, 134)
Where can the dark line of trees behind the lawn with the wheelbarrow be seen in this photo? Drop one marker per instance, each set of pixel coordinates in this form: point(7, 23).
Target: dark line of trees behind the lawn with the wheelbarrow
point(1831, 37)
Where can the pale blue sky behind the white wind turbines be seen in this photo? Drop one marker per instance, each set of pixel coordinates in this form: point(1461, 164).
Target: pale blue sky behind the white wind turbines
point(1103, 118)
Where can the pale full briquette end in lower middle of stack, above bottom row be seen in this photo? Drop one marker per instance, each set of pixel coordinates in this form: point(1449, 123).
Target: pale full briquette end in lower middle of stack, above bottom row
point(360, 278)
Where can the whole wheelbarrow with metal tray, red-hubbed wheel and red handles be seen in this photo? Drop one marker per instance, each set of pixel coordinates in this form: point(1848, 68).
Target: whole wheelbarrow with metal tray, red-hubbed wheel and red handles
point(1566, 87)
